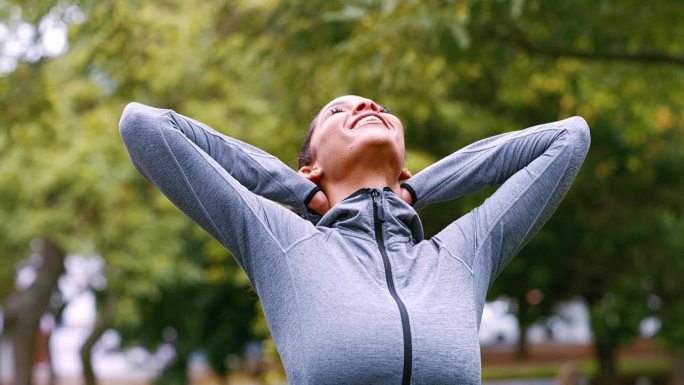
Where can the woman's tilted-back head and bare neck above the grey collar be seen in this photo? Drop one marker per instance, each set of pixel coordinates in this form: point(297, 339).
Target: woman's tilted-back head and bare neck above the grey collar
point(357, 143)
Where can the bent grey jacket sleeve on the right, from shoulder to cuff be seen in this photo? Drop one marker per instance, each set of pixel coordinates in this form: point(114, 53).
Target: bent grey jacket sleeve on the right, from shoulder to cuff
point(535, 168)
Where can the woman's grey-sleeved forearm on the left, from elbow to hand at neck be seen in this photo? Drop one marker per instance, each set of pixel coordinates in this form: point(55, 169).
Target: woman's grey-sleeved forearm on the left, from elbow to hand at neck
point(257, 170)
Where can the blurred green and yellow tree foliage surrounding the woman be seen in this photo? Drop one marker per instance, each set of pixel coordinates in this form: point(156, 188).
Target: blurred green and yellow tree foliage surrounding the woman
point(453, 71)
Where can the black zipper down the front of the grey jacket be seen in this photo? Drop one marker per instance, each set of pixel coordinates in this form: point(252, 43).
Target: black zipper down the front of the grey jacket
point(379, 216)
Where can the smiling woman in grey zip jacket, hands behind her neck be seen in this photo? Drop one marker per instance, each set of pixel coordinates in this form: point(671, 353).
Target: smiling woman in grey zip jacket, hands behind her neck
point(357, 296)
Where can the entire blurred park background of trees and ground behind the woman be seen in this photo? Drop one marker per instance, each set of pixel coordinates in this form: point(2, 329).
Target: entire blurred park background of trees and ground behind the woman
point(103, 281)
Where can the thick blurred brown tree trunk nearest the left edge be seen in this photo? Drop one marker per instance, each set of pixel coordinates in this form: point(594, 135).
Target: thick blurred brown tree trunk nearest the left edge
point(25, 307)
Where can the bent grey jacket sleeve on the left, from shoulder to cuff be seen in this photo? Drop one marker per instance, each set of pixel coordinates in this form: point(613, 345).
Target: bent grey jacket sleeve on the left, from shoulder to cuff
point(198, 170)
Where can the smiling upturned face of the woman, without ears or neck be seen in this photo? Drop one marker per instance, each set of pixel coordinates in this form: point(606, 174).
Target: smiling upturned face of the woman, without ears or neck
point(352, 129)
